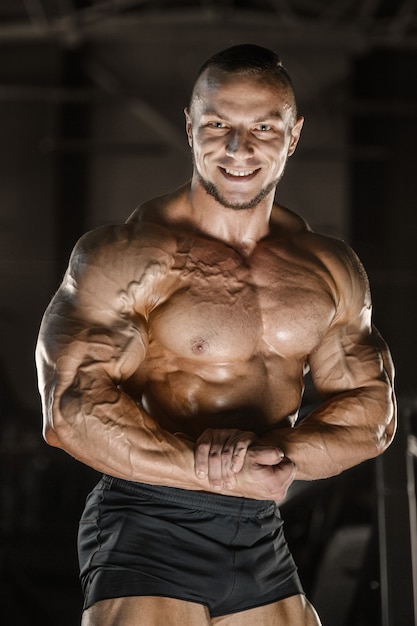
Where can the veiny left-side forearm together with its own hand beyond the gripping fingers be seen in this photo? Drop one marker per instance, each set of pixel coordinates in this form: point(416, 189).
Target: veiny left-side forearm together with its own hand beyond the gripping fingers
point(104, 428)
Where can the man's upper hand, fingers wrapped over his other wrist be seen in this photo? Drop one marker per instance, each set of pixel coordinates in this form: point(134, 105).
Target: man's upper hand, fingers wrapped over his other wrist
point(220, 454)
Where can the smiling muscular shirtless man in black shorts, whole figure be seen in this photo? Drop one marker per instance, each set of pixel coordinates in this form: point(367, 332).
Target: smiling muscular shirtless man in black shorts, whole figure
point(172, 359)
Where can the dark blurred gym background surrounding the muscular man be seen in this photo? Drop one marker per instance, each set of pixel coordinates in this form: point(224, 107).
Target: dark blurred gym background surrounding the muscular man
point(91, 125)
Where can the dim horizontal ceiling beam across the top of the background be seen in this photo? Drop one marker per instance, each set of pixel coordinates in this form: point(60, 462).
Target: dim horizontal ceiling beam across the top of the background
point(343, 23)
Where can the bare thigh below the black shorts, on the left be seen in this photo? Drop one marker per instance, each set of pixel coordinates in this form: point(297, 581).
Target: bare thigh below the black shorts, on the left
point(145, 611)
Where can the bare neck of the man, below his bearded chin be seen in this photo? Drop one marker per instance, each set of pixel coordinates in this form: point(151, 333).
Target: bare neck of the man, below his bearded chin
point(241, 228)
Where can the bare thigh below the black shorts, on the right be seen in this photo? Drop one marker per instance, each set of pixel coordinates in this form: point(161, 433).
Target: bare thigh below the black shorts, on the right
point(292, 611)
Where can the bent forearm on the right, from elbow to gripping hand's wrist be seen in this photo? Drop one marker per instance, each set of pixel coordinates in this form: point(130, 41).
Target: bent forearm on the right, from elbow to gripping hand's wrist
point(341, 433)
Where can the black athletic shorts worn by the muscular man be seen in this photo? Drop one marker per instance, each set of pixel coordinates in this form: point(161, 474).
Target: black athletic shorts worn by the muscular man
point(224, 552)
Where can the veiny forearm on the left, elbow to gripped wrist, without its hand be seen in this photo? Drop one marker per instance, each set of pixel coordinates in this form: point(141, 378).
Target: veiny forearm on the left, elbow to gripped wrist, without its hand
point(101, 426)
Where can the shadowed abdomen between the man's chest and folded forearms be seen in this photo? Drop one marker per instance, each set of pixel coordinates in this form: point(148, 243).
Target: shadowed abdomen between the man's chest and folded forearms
point(186, 397)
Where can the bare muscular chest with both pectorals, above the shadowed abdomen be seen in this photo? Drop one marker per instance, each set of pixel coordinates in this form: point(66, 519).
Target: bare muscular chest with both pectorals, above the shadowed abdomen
point(224, 308)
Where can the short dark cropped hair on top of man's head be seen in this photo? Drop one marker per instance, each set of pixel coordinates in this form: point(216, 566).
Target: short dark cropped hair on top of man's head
point(252, 61)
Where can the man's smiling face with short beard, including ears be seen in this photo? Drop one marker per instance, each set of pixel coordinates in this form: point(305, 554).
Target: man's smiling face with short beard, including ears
point(241, 131)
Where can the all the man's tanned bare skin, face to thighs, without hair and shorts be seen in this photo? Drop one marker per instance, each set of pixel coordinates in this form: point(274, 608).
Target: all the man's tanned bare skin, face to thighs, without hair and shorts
point(175, 350)
